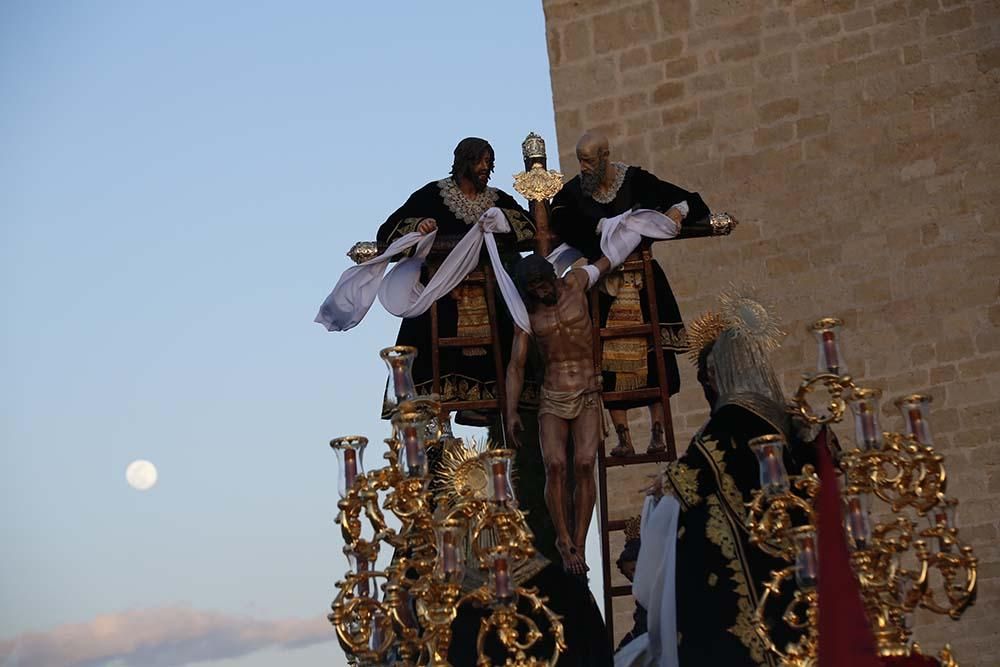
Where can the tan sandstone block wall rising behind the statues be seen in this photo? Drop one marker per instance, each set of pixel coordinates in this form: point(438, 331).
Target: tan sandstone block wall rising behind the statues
point(858, 142)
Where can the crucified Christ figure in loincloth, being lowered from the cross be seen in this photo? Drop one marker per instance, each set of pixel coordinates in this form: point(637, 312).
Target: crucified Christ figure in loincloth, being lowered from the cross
point(570, 395)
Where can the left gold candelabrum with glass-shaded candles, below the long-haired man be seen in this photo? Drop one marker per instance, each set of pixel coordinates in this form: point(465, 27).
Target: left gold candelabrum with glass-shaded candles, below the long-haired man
point(438, 538)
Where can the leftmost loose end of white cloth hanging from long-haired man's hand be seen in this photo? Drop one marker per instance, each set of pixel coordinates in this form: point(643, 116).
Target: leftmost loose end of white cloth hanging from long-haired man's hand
point(353, 295)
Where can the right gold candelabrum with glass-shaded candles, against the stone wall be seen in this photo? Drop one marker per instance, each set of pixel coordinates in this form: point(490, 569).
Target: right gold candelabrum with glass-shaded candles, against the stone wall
point(901, 562)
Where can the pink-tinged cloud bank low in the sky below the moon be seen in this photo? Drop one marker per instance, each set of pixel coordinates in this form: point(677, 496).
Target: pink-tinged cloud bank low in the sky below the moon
point(160, 637)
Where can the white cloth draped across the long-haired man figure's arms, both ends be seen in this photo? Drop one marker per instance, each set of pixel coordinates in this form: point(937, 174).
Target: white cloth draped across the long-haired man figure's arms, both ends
point(401, 292)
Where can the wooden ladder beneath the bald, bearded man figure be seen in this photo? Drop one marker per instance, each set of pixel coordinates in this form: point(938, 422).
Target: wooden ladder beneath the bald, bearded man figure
point(640, 260)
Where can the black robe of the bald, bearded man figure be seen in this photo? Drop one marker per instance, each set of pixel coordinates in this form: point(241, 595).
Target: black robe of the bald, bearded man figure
point(574, 219)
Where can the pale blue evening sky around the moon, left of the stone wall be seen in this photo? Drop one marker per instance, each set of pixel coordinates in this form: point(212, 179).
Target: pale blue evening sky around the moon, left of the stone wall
point(179, 182)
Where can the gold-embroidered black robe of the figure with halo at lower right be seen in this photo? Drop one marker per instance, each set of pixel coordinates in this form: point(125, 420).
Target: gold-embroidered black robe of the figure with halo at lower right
point(719, 575)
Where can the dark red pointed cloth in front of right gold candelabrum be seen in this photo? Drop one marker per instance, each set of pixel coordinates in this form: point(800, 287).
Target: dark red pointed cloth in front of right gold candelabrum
point(845, 637)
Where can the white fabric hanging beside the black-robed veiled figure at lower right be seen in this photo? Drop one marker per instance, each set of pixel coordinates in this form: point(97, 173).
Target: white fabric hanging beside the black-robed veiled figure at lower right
point(654, 587)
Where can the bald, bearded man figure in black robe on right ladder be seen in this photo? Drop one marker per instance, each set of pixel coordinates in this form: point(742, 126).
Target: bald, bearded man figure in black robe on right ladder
point(605, 189)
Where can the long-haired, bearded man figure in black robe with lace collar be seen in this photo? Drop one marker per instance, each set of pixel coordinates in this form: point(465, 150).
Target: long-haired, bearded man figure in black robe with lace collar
point(452, 205)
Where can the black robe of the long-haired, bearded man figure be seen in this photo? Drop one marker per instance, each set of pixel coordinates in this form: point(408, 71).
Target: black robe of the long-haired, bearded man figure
point(463, 377)
